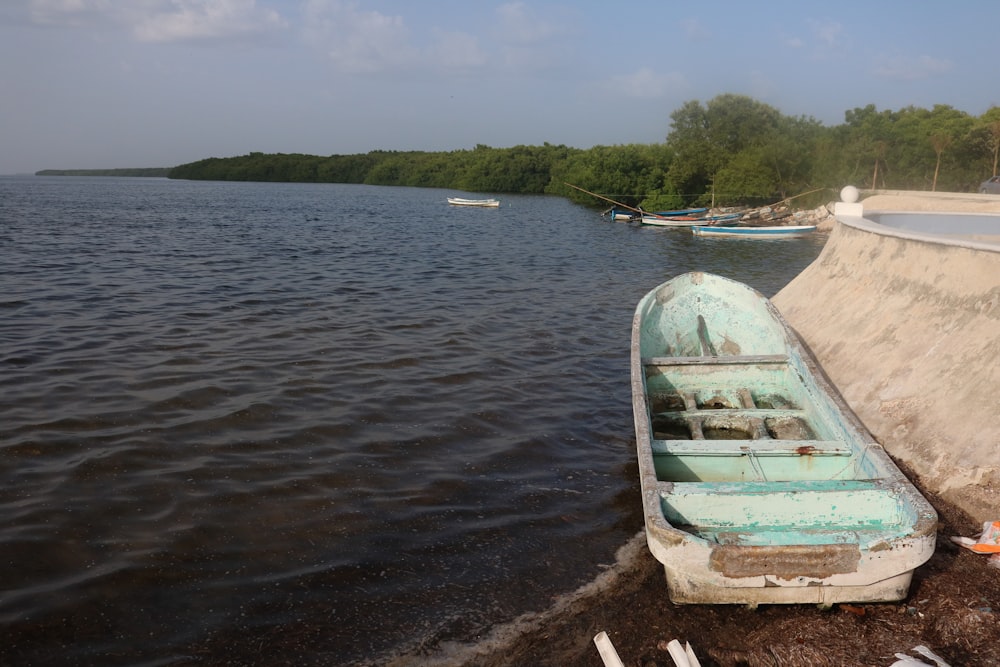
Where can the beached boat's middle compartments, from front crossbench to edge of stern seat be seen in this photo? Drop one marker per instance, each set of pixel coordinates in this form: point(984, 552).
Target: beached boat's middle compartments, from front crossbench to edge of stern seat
point(750, 426)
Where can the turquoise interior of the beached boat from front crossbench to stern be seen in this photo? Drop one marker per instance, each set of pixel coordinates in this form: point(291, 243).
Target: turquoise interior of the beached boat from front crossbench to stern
point(750, 457)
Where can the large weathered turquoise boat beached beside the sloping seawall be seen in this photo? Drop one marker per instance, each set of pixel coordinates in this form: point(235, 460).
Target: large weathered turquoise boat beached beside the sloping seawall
point(759, 484)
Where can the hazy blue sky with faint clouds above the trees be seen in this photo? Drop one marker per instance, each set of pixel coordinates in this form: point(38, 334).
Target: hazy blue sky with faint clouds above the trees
point(147, 83)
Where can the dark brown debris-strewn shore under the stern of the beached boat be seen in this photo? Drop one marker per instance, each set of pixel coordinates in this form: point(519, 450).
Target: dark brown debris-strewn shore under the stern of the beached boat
point(953, 609)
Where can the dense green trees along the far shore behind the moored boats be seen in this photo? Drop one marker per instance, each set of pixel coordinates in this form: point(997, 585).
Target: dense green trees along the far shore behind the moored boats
point(731, 150)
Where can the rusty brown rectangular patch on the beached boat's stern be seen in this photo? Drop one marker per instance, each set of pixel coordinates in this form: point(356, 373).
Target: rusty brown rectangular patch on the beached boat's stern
point(785, 562)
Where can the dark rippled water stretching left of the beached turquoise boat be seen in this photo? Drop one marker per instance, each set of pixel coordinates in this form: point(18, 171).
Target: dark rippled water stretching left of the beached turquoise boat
point(313, 424)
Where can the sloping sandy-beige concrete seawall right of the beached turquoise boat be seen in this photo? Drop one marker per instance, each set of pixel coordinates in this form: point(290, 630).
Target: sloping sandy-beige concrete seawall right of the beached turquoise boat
point(908, 329)
